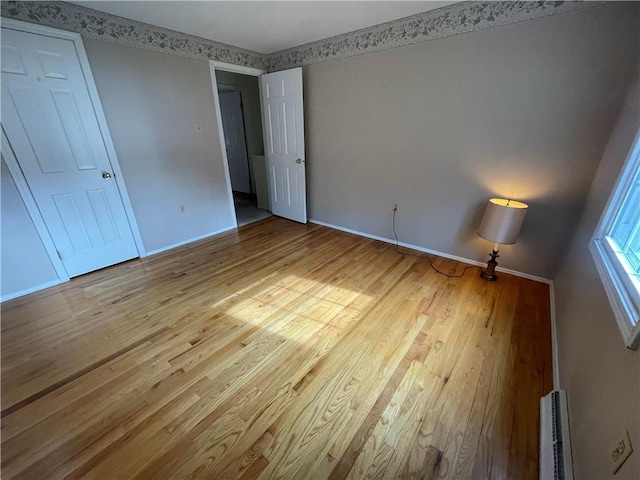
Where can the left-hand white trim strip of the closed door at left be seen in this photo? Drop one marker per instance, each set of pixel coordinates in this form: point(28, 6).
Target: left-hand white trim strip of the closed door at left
point(32, 208)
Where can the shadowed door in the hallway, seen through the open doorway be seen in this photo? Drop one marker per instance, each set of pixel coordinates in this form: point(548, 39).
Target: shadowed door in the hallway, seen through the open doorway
point(234, 139)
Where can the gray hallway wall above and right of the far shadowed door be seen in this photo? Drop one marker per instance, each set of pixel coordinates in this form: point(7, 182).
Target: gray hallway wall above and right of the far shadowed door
point(248, 87)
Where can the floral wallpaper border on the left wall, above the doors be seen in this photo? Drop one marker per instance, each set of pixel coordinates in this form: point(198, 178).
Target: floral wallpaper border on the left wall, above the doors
point(111, 28)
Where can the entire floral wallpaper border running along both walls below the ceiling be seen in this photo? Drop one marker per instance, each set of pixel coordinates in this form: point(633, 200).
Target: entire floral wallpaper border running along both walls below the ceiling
point(440, 23)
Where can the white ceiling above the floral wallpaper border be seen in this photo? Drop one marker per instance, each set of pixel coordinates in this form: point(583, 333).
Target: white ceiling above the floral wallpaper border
point(263, 26)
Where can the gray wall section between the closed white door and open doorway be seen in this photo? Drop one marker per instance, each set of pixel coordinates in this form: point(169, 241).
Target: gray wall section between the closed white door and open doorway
point(153, 102)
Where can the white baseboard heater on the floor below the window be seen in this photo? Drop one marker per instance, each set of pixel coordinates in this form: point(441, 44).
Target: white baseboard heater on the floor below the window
point(555, 443)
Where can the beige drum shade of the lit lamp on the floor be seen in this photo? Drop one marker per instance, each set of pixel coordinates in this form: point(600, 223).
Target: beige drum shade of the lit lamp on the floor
point(502, 220)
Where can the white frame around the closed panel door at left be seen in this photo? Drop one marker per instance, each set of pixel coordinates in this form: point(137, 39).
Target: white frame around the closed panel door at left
point(16, 171)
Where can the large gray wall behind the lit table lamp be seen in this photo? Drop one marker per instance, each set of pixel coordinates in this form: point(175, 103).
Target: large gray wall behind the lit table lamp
point(522, 111)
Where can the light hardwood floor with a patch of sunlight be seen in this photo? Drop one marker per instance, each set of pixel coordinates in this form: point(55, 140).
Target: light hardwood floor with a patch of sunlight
point(276, 351)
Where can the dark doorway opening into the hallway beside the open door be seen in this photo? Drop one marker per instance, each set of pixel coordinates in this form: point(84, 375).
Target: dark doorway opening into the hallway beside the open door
point(239, 101)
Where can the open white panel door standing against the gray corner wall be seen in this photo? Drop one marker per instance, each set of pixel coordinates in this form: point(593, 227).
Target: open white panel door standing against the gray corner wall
point(283, 123)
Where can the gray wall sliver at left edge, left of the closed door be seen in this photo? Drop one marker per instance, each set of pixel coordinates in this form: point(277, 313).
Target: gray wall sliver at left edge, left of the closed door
point(24, 263)
